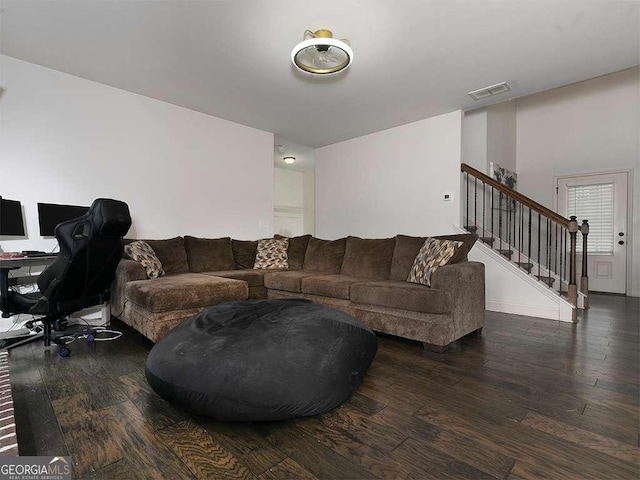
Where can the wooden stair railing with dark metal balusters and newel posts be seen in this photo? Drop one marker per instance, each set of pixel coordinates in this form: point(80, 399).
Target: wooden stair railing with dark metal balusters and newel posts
point(537, 239)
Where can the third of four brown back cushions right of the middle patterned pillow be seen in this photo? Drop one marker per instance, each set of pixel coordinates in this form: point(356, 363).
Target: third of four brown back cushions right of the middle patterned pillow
point(368, 258)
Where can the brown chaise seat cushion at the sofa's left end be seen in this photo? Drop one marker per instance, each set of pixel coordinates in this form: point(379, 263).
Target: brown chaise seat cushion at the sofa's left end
point(180, 292)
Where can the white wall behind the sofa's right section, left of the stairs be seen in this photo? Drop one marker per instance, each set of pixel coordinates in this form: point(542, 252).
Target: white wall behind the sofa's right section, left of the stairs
point(391, 181)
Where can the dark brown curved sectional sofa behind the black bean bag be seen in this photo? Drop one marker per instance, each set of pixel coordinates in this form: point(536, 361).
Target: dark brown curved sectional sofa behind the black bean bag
point(365, 278)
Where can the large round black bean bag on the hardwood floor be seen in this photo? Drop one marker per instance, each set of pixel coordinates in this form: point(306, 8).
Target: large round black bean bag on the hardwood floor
point(258, 360)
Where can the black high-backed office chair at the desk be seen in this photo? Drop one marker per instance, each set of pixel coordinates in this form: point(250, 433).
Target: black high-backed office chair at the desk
point(81, 275)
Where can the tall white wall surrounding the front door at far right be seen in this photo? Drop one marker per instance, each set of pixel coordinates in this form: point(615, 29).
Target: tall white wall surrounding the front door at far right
point(587, 127)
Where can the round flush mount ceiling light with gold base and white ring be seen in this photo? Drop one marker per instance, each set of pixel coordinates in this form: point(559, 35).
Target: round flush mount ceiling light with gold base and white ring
point(321, 54)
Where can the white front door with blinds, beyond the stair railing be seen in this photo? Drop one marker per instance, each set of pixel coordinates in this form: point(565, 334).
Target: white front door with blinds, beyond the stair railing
point(602, 200)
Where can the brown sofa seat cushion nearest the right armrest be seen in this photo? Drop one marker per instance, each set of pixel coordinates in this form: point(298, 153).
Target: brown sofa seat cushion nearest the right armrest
point(402, 295)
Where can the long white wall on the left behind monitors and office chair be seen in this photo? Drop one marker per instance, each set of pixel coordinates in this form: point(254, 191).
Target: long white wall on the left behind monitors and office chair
point(67, 140)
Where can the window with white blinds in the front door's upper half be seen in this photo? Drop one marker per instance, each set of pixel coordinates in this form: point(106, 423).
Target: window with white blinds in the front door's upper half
point(595, 203)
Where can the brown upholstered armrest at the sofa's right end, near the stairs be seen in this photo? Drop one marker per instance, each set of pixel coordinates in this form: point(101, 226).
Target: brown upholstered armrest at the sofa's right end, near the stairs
point(465, 282)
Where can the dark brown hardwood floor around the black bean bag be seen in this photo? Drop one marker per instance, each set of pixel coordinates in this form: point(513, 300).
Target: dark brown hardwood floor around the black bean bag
point(530, 398)
